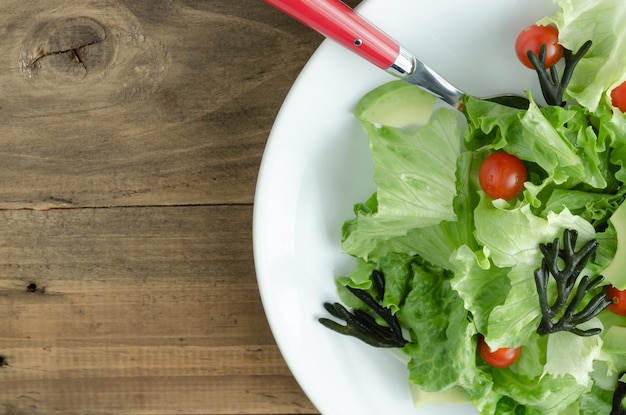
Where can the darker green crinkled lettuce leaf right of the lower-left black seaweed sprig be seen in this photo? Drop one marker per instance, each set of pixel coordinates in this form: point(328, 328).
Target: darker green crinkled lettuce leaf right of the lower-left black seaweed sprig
point(443, 349)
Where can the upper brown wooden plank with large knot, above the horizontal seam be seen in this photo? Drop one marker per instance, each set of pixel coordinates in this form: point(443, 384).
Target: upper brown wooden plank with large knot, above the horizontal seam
point(173, 106)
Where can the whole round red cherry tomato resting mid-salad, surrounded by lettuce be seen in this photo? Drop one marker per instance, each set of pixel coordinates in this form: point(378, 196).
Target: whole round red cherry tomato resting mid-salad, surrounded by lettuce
point(502, 176)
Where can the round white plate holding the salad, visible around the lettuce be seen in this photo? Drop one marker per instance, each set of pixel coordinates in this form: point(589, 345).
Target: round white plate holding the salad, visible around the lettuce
point(317, 165)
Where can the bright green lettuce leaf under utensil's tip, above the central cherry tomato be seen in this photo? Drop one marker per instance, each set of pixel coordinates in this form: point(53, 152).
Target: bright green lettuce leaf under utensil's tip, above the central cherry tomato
point(559, 140)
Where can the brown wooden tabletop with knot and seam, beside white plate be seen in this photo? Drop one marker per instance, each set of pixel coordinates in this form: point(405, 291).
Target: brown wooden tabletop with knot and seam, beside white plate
point(131, 135)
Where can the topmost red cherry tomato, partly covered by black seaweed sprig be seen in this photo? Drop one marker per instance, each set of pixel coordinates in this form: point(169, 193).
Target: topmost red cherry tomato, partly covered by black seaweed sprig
point(532, 38)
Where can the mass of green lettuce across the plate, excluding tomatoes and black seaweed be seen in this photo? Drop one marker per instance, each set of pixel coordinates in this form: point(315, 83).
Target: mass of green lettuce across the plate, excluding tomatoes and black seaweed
point(458, 264)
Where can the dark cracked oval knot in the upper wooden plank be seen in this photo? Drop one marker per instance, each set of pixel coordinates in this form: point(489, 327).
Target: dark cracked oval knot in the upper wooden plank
point(72, 47)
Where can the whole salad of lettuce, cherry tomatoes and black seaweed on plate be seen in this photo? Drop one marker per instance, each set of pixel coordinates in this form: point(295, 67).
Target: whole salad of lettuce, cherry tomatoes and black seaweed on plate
point(492, 254)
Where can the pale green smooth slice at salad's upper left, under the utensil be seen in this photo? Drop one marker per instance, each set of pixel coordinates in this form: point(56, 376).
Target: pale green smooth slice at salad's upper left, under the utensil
point(396, 104)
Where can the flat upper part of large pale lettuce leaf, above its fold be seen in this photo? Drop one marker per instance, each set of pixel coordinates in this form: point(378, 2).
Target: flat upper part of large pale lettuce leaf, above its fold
point(415, 171)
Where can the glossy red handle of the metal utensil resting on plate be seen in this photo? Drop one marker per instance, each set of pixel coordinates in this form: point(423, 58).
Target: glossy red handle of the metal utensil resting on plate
point(336, 21)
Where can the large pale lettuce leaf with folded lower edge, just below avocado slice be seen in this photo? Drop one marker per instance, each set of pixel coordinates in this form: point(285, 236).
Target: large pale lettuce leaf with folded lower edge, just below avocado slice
point(413, 210)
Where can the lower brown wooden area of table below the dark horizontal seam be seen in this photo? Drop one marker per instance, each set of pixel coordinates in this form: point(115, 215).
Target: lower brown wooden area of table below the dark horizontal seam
point(136, 311)
